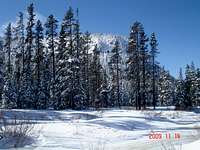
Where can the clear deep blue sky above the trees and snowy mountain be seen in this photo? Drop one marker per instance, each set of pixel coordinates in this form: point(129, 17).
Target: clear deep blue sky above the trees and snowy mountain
point(176, 22)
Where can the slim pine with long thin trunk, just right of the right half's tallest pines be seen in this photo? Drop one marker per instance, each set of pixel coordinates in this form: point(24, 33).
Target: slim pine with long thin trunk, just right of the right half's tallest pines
point(153, 52)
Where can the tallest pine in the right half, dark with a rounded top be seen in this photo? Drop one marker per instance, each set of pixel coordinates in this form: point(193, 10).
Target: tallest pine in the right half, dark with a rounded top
point(134, 63)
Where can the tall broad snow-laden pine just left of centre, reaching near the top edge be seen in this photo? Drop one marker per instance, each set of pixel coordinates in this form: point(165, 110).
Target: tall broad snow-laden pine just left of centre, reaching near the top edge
point(67, 62)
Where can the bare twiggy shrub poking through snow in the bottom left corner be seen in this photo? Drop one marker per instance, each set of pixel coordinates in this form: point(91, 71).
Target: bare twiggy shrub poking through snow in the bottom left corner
point(15, 131)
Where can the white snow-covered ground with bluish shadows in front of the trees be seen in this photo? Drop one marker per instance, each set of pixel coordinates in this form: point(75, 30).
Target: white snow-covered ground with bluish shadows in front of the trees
point(112, 129)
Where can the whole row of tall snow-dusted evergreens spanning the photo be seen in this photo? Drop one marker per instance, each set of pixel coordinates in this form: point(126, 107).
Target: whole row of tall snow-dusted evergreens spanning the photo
point(41, 68)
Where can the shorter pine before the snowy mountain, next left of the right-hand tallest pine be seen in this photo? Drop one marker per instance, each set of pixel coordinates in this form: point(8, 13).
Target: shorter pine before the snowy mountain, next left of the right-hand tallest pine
point(116, 70)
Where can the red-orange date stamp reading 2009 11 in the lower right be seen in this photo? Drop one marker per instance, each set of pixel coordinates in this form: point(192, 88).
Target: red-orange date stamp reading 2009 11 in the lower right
point(167, 136)
